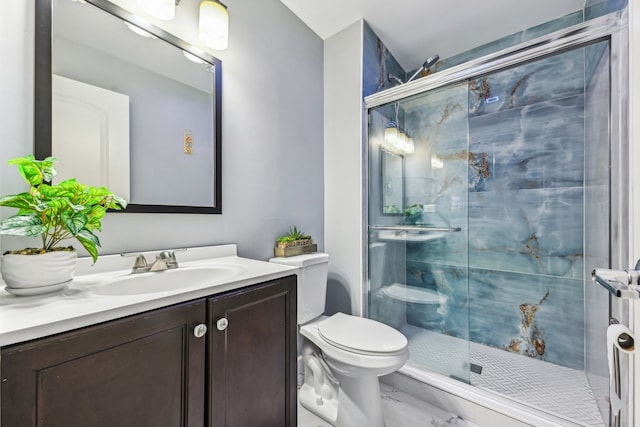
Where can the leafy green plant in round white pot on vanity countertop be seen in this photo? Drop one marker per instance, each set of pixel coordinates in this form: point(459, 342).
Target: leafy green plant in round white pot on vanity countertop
point(55, 213)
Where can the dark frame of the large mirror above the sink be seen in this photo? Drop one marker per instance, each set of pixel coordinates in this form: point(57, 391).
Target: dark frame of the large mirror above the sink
point(43, 96)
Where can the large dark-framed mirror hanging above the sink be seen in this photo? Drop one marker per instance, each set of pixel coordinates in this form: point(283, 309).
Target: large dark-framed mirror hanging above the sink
point(124, 104)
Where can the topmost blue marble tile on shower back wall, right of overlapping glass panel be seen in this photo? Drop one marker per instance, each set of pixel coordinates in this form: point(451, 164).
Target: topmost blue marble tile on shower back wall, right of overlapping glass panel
point(526, 84)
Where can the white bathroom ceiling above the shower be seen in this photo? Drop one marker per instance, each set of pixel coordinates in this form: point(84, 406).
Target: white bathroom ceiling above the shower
point(416, 29)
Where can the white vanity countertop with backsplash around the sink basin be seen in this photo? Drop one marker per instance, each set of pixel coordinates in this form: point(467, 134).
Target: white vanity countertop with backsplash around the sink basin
point(25, 318)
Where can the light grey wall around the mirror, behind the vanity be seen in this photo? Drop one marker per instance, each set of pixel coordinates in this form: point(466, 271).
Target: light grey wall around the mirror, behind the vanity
point(272, 132)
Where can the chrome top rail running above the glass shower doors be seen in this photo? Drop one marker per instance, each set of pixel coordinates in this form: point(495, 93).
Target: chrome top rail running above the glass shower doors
point(569, 37)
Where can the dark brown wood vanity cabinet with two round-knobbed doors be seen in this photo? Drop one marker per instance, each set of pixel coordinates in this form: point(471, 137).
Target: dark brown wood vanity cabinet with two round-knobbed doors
point(151, 369)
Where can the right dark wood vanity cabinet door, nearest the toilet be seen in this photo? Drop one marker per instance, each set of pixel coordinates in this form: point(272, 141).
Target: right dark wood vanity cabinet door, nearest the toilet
point(252, 358)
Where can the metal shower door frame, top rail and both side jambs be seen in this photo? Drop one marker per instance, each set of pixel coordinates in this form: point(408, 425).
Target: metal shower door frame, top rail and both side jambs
point(613, 28)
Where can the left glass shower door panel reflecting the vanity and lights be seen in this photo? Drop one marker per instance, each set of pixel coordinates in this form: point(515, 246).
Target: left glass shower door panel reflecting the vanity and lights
point(418, 222)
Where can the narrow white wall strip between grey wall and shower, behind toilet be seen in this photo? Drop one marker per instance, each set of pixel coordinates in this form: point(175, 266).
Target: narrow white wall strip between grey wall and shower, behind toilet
point(343, 182)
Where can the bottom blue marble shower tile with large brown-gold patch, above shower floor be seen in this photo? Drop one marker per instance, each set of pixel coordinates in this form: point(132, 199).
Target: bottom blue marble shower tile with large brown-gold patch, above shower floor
point(499, 318)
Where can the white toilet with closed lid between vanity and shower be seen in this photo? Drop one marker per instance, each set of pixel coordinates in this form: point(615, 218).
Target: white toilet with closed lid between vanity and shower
point(342, 355)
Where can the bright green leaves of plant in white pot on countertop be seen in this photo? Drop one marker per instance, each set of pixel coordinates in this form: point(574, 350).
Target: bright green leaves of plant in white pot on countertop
point(57, 212)
